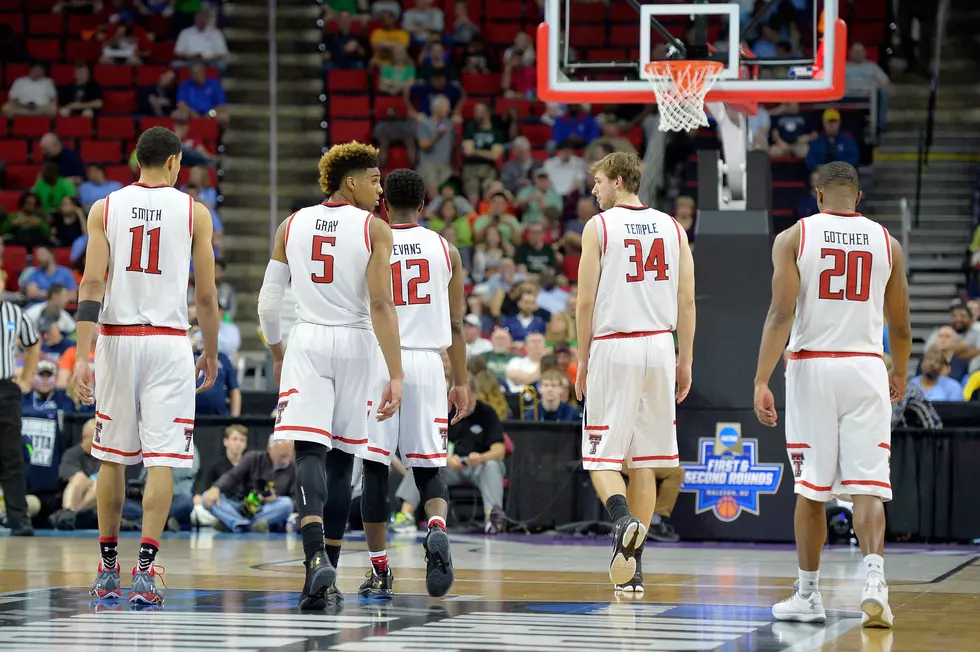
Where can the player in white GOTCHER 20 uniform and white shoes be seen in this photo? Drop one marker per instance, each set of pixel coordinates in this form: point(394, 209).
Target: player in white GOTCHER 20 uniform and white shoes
point(839, 271)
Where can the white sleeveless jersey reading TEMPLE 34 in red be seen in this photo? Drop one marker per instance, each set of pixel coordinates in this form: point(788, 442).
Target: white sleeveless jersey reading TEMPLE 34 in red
point(640, 262)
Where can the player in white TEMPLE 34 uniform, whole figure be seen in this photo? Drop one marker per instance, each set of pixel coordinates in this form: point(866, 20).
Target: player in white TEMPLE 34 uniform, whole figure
point(636, 286)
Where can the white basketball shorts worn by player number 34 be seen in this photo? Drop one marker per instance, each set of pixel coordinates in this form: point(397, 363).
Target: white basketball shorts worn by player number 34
point(629, 403)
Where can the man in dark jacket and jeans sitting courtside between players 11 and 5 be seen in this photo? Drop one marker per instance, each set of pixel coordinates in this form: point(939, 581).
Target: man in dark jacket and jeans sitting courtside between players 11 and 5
point(260, 485)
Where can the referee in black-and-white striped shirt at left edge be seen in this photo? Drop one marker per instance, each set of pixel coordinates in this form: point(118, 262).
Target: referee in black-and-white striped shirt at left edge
point(14, 326)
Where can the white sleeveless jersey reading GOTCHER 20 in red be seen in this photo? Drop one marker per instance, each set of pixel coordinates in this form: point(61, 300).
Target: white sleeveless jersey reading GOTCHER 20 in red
point(845, 261)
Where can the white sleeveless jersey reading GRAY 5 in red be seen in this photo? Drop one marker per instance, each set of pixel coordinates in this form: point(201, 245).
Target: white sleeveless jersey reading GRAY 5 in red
point(328, 247)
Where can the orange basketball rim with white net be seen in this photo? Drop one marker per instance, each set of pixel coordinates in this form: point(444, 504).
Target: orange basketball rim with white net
point(680, 87)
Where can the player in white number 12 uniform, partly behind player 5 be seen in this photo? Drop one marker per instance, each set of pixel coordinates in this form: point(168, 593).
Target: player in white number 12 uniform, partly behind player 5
point(428, 278)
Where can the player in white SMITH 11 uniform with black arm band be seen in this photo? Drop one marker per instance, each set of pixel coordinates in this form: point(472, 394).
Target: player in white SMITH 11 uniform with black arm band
point(142, 239)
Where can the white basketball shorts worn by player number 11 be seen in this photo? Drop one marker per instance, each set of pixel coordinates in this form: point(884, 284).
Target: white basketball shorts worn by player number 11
point(144, 396)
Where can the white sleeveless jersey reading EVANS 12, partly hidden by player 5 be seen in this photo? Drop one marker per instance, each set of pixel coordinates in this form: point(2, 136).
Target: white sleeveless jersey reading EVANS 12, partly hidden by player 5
point(420, 273)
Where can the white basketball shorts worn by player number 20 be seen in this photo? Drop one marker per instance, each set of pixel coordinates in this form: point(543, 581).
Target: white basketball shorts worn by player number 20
point(838, 424)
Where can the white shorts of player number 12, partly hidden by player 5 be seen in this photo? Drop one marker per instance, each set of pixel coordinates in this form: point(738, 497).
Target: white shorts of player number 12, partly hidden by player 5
point(420, 428)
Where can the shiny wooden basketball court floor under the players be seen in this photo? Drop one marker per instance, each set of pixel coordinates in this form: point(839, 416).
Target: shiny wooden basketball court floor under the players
point(517, 593)
